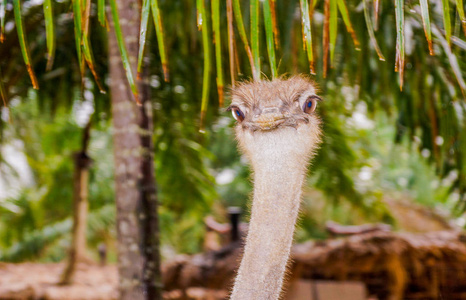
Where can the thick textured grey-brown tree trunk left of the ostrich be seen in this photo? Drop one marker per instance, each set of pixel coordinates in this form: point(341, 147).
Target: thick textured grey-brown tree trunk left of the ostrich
point(136, 194)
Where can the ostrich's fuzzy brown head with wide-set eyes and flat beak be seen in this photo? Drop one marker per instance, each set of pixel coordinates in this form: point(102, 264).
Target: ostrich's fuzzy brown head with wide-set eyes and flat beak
point(276, 117)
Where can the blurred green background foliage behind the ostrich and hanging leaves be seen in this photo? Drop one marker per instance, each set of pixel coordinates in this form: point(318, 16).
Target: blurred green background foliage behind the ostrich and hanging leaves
point(382, 146)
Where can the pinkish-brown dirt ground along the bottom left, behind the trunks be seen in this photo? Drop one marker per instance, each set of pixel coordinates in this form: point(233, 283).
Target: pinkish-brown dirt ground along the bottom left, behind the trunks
point(92, 282)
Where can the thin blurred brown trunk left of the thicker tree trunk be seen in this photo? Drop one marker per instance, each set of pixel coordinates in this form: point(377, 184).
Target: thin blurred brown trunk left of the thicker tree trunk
point(80, 200)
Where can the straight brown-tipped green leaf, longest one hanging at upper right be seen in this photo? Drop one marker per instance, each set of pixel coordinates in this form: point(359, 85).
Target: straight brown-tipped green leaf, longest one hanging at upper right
point(400, 40)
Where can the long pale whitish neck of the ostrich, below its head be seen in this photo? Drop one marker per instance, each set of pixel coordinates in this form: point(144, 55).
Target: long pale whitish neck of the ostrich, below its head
point(277, 192)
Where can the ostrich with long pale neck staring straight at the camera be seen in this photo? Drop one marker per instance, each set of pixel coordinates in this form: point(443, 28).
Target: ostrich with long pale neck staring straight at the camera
point(278, 132)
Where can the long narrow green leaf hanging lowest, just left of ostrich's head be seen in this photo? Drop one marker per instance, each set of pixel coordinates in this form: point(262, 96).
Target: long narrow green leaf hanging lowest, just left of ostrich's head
point(203, 26)
